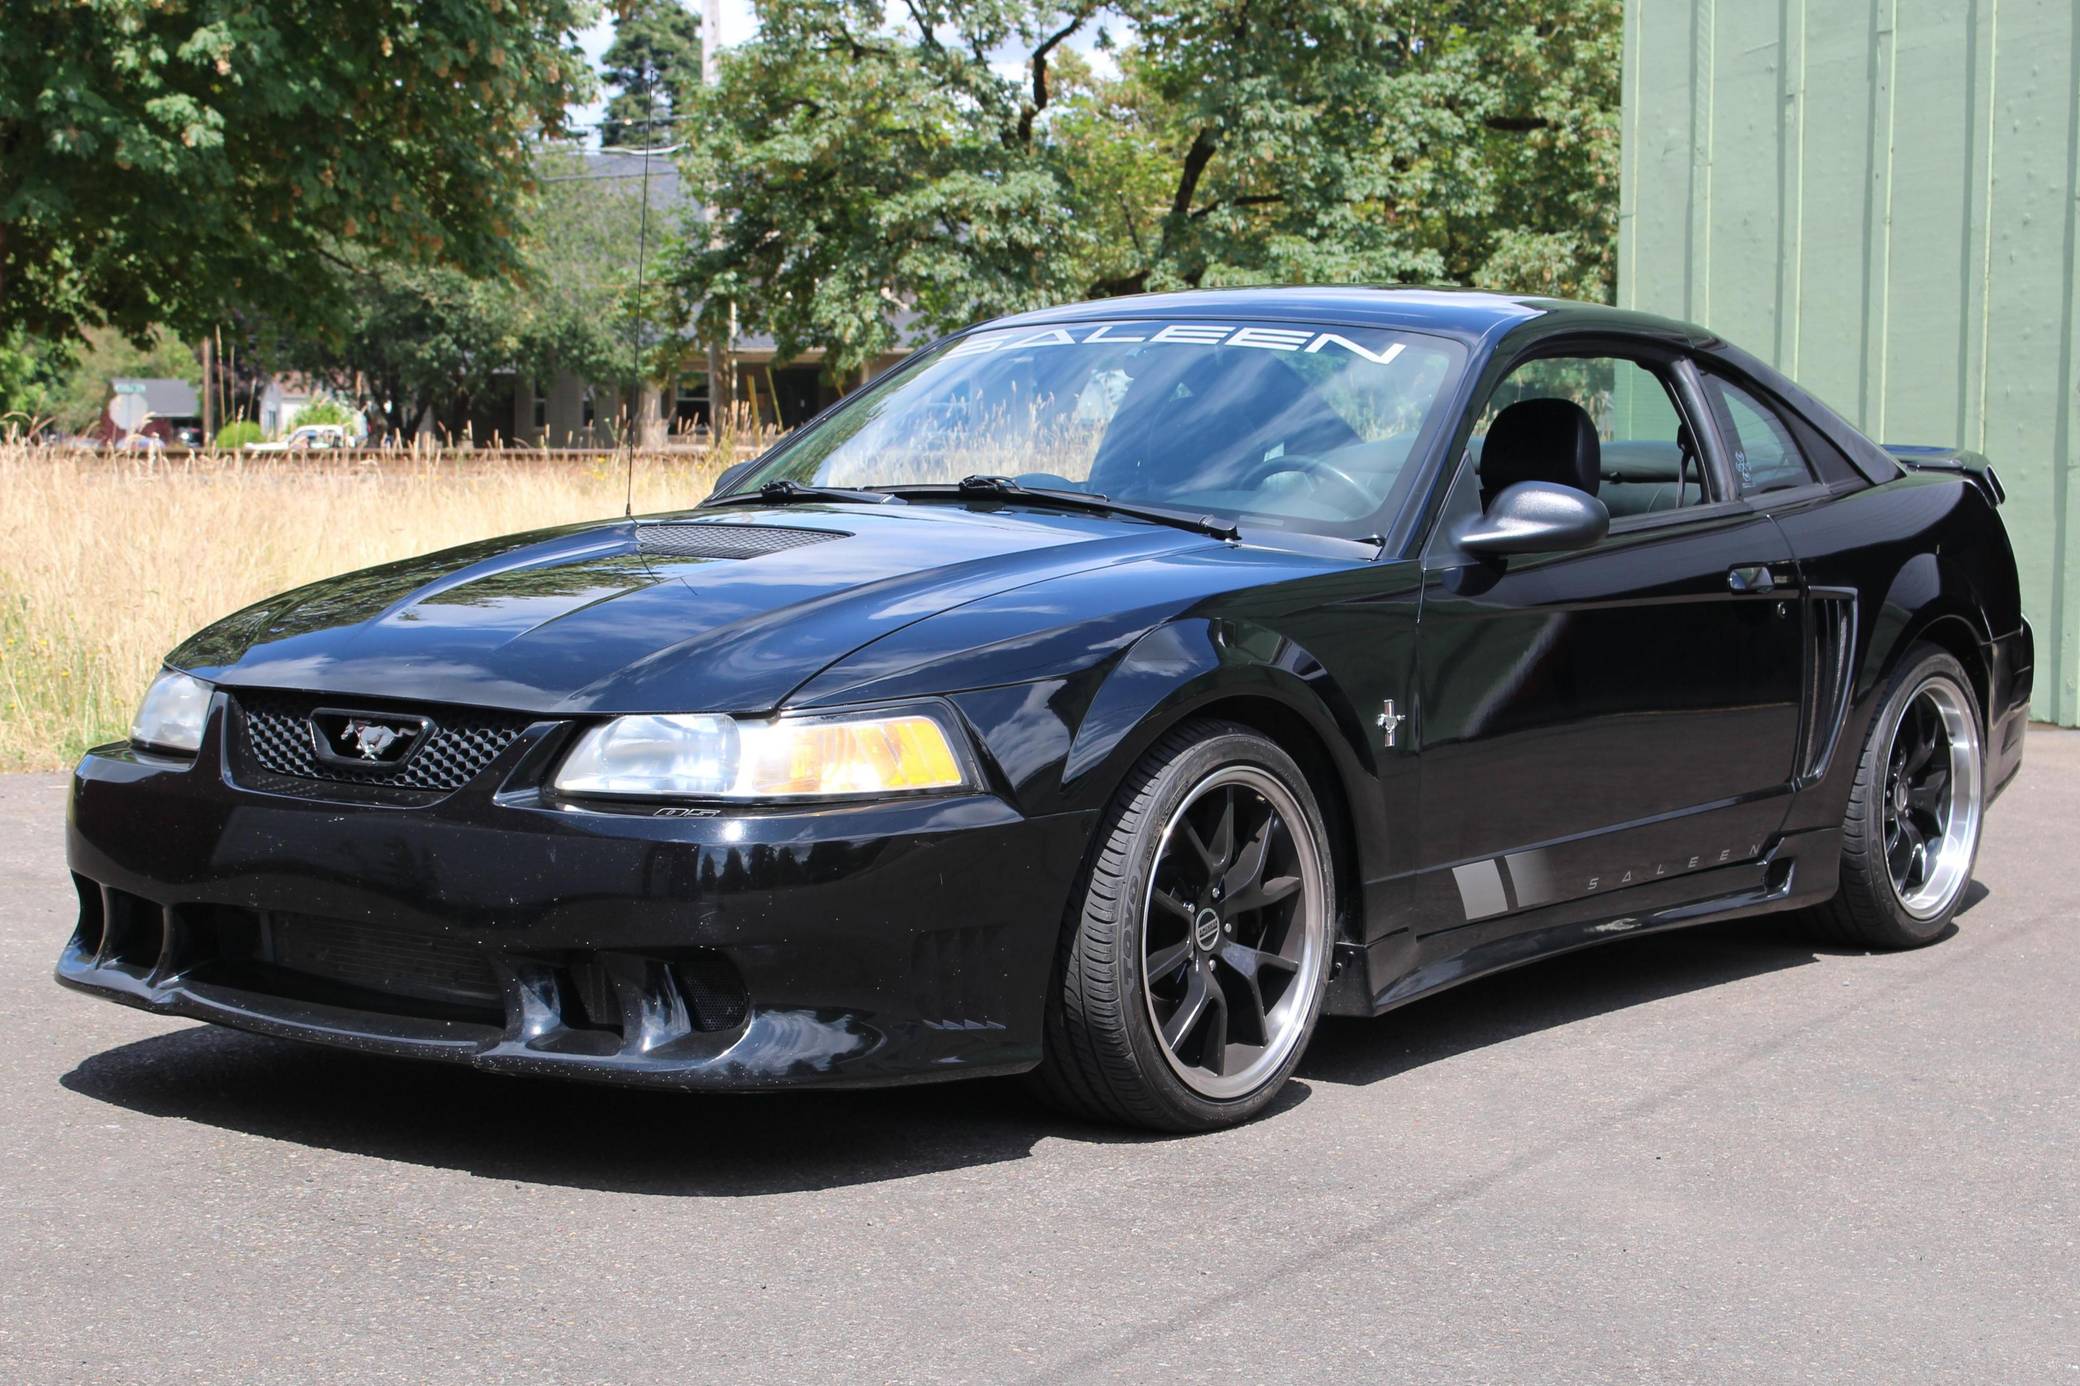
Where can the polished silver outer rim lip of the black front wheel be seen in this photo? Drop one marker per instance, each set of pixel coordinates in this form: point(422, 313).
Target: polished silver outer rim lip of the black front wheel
point(1289, 1019)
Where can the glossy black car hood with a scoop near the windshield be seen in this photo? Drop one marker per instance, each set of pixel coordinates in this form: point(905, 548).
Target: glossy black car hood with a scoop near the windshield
point(700, 611)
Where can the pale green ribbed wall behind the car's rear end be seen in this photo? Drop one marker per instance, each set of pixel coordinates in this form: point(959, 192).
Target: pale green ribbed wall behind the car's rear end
point(1881, 199)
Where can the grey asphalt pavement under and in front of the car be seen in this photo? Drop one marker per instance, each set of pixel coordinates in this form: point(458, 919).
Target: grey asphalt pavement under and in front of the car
point(1723, 1156)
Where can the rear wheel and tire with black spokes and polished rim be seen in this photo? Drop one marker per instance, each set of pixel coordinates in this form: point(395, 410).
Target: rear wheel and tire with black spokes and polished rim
point(1879, 906)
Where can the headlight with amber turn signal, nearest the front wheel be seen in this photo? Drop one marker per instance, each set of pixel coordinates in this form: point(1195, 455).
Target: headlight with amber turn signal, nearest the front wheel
point(789, 759)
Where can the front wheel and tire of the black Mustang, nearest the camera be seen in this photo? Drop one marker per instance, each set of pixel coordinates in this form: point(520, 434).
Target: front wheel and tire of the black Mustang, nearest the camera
point(1172, 929)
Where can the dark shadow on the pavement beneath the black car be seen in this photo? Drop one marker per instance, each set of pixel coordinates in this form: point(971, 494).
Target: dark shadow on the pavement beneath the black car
point(704, 1146)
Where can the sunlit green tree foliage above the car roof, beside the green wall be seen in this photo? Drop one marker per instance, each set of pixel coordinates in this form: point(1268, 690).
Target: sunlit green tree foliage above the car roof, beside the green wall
point(868, 161)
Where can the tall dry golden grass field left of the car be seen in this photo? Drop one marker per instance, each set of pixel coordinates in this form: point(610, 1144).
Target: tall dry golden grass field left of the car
point(107, 565)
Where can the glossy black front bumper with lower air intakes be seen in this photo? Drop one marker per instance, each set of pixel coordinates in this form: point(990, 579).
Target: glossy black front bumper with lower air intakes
point(837, 946)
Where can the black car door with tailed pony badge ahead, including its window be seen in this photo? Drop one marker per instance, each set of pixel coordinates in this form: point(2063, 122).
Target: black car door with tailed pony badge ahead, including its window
point(1611, 717)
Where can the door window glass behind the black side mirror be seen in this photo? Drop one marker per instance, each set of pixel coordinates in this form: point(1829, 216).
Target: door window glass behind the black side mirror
point(1648, 455)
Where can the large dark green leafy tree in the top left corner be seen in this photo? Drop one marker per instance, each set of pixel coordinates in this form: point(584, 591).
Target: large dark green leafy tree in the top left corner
point(174, 161)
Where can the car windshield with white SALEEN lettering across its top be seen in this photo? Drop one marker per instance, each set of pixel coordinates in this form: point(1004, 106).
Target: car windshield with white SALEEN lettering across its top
point(1268, 423)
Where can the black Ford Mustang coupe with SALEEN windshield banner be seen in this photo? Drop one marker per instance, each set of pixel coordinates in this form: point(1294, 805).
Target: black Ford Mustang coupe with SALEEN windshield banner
point(1103, 696)
